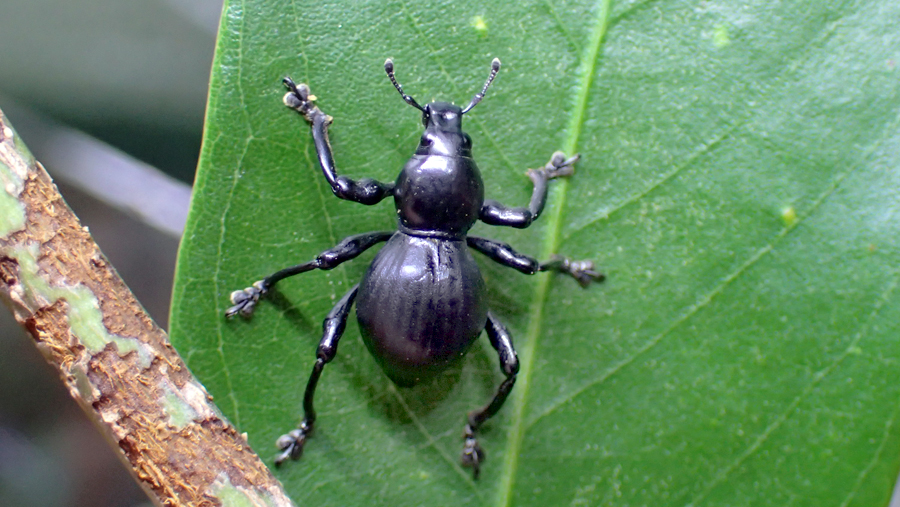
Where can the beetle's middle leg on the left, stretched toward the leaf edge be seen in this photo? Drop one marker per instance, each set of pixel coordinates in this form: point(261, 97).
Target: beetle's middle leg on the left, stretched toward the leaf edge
point(245, 300)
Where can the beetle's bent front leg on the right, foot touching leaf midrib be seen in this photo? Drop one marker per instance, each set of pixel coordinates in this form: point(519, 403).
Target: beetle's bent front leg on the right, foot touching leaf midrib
point(494, 213)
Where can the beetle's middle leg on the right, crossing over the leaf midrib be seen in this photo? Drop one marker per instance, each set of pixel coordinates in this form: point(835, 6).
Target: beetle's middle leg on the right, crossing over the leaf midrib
point(583, 271)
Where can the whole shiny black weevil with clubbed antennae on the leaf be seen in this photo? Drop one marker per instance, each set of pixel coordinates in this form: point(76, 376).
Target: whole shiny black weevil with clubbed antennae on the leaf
point(422, 303)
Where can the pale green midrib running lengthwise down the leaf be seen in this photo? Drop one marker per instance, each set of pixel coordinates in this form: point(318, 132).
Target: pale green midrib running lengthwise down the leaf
point(551, 244)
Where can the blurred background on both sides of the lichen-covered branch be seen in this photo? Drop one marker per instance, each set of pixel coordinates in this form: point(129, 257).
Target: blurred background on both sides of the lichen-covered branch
point(110, 96)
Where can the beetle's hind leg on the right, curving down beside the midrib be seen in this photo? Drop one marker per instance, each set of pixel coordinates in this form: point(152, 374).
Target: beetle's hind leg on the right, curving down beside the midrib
point(472, 455)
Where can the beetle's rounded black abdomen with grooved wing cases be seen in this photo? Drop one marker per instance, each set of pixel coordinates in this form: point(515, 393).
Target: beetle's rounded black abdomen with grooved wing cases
point(420, 306)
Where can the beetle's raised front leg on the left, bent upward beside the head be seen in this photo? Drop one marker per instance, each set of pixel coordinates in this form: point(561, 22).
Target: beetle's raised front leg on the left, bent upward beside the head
point(365, 191)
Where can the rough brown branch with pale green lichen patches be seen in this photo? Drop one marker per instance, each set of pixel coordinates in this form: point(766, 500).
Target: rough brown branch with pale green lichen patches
point(116, 362)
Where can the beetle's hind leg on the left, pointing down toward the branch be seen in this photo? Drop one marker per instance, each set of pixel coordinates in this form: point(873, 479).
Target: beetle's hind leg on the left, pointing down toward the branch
point(291, 444)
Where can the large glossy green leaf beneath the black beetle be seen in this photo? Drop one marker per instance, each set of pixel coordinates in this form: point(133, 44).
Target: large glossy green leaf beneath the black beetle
point(738, 185)
